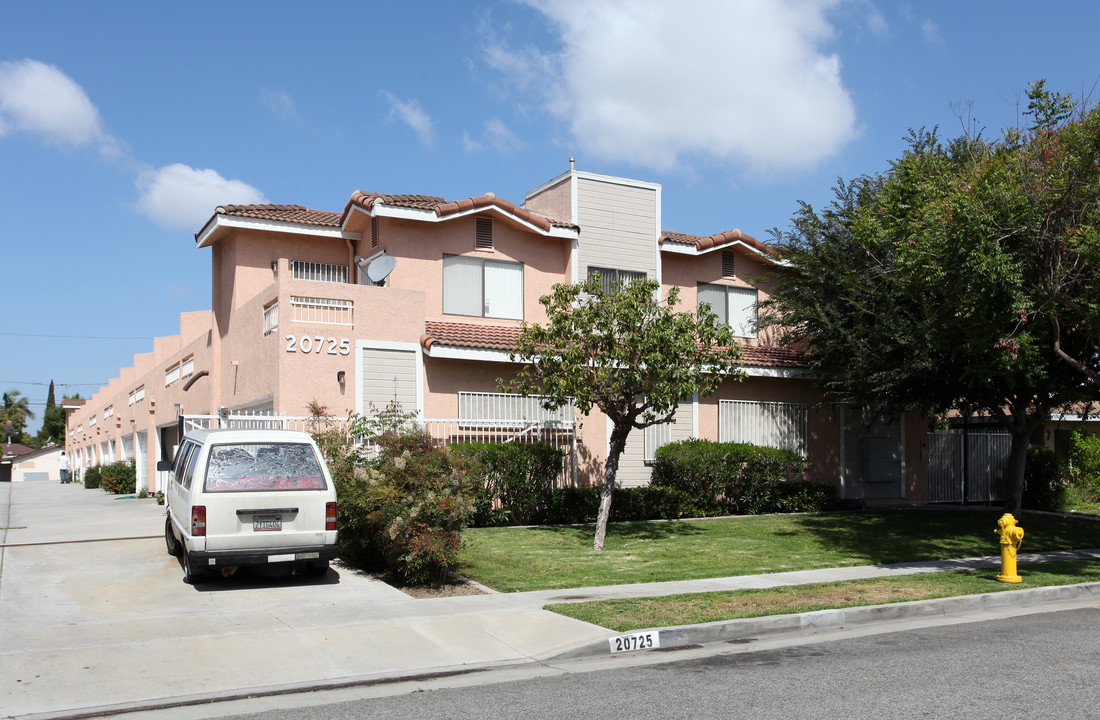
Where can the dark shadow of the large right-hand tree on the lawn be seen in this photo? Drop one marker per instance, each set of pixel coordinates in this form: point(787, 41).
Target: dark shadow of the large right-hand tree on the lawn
point(887, 537)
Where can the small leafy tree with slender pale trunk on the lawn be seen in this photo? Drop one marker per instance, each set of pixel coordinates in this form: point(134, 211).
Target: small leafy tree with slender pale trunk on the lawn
point(626, 352)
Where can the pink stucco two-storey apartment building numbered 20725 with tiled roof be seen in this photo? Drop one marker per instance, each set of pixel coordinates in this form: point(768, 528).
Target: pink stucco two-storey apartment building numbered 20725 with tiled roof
point(296, 319)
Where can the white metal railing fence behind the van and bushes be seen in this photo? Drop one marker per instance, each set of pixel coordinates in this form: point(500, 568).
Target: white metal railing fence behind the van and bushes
point(557, 434)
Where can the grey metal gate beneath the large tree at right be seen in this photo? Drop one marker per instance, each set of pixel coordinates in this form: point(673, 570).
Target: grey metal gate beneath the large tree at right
point(967, 468)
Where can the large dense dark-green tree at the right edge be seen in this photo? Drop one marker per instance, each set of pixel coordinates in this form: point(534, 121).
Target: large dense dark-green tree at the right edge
point(965, 279)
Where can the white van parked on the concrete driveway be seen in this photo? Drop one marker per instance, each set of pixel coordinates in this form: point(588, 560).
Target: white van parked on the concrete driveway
point(250, 497)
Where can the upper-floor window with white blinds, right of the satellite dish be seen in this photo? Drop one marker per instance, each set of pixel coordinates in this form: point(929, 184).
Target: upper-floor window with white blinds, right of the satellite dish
point(485, 289)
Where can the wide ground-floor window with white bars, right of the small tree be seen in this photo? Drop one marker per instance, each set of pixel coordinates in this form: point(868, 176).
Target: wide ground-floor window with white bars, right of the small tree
point(769, 425)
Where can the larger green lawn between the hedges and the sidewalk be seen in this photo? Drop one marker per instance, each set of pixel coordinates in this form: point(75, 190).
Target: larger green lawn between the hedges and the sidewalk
point(533, 559)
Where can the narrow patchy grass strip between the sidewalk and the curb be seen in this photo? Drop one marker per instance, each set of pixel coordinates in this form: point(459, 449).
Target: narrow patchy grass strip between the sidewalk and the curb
point(630, 615)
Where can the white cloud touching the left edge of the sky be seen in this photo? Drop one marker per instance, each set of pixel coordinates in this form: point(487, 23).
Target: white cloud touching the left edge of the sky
point(40, 99)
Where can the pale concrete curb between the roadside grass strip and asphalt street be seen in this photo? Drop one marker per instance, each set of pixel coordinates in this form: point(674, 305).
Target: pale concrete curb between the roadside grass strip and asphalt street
point(743, 630)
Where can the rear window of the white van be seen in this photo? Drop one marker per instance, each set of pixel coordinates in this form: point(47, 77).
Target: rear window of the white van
point(263, 467)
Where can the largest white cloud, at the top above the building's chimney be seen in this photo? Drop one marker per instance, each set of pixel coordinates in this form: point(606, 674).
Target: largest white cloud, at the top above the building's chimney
point(653, 83)
